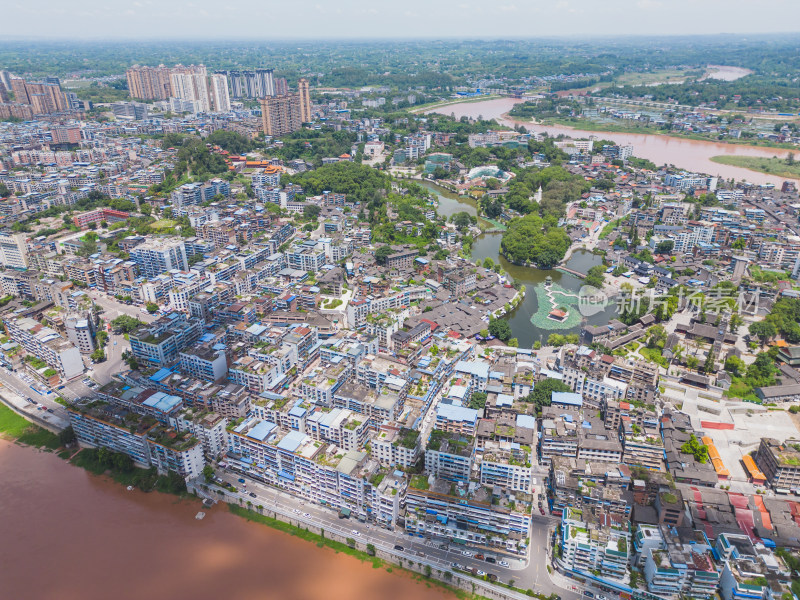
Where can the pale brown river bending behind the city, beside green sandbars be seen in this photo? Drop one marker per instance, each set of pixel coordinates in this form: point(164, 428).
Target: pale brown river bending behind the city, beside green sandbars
point(692, 155)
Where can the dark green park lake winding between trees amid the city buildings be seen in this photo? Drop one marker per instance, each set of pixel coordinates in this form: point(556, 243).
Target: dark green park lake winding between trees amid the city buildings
point(488, 245)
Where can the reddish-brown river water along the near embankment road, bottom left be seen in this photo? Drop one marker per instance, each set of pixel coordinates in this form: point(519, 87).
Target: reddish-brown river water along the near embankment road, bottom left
point(69, 535)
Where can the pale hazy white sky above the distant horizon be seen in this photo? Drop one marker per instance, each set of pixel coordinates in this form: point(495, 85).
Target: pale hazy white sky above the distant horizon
point(298, 19)
